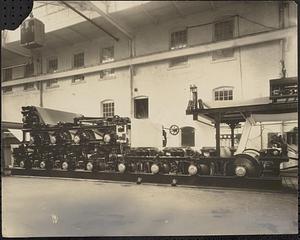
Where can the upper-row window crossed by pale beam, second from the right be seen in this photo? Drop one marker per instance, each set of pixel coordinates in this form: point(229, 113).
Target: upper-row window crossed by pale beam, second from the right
point(178, 41)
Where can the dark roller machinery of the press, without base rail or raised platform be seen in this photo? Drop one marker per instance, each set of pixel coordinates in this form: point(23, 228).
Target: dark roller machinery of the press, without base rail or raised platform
point(103, 145)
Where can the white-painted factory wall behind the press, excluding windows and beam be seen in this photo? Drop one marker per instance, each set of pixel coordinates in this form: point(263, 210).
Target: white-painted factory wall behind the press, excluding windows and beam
point(167, 88)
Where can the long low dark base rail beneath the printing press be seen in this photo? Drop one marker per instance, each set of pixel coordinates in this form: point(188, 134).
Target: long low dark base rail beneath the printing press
point(213, 181)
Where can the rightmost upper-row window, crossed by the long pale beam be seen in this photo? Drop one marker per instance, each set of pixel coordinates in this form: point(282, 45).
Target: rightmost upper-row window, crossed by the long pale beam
point(223, 31)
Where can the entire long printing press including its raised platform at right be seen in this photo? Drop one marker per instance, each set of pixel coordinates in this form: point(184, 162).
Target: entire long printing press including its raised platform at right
point(57, 142)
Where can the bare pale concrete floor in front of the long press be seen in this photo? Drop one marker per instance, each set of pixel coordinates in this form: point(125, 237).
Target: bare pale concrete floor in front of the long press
point(60, 207)
